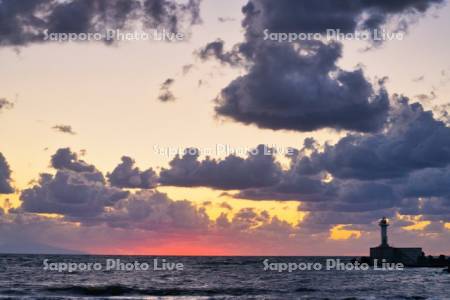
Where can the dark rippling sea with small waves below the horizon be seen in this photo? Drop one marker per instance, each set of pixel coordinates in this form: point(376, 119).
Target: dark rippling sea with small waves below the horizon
point(176, 277)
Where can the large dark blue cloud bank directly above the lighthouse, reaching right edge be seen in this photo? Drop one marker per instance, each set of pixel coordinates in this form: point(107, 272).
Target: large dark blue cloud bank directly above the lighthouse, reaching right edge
point(372, 174)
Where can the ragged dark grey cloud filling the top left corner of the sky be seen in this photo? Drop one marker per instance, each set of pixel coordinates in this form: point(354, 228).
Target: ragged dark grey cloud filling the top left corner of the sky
point(24, 22)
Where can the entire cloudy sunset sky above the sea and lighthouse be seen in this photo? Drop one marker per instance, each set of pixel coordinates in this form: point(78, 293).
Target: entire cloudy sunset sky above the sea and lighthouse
point(84, 126)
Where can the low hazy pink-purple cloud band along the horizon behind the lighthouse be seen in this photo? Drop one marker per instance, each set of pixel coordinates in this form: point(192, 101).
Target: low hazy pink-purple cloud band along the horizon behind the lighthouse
point(249, 232)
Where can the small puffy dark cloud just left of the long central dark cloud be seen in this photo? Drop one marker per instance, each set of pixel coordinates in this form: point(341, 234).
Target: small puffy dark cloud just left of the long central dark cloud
point(125, 175)
